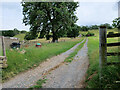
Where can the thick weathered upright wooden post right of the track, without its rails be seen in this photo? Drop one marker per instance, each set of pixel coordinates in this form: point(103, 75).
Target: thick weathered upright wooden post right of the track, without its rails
point(102, 50)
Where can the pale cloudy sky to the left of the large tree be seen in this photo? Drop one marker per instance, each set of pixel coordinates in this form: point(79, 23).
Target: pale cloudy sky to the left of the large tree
point(12, 16)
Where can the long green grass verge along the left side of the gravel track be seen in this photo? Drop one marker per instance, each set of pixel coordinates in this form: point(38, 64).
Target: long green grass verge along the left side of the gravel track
point(19, 62)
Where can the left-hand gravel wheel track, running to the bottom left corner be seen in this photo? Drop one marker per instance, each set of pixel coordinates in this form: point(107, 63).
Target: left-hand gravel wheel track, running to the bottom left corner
point(29, 78)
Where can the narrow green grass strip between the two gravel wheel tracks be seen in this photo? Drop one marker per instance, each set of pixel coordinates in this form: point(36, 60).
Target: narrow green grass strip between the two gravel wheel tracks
point(71, 56)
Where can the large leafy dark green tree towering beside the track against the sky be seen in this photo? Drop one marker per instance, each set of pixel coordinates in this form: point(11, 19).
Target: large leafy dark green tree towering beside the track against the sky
point(49, 17)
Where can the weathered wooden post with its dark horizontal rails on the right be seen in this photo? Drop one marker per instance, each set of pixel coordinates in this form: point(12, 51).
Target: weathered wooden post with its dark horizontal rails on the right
point(103, 47)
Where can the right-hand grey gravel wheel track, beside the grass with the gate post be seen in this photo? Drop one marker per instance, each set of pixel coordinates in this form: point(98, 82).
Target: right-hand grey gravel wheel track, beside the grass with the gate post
point(70, 75)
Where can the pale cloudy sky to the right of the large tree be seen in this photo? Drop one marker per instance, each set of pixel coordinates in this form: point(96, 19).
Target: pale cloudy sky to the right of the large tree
point(96, 13)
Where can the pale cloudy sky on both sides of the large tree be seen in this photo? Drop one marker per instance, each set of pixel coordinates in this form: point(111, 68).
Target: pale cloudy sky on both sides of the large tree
point(88, 13)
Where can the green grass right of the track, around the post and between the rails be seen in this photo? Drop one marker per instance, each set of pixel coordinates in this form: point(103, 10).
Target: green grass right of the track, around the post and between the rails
point(111, 74)
